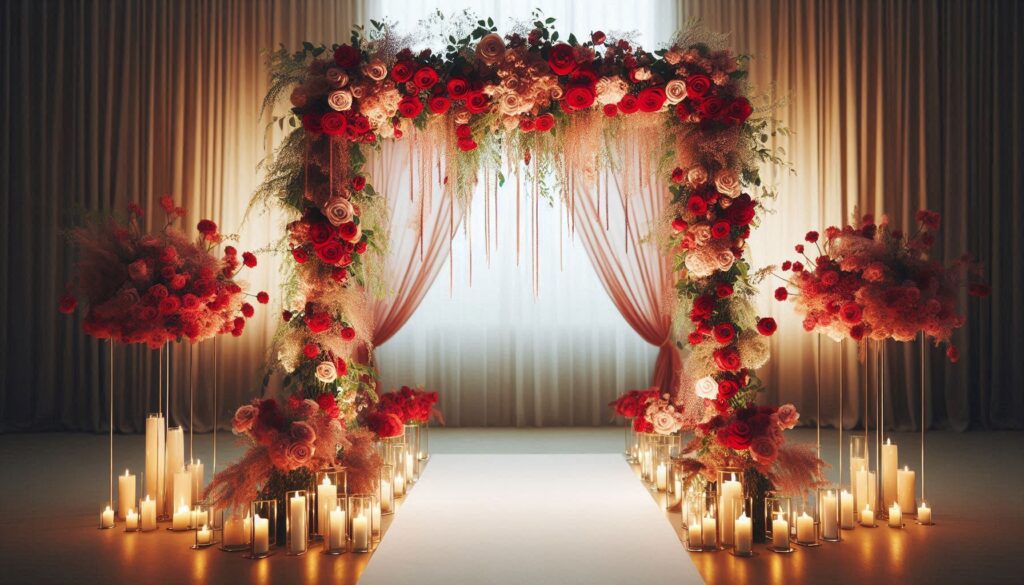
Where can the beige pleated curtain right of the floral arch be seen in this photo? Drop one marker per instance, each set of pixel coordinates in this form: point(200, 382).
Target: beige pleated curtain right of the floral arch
point(898, 106)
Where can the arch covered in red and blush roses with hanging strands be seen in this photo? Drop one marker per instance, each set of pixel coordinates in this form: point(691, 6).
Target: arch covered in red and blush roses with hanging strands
point(538, 110)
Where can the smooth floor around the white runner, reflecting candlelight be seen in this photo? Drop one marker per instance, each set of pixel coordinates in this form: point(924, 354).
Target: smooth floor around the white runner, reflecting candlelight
point(54, 486)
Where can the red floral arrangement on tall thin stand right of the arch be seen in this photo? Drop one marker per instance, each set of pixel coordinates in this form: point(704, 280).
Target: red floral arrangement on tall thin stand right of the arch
point(872, 281)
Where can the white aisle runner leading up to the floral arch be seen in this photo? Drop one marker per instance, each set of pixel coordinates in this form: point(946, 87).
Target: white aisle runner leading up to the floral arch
point(530, 520)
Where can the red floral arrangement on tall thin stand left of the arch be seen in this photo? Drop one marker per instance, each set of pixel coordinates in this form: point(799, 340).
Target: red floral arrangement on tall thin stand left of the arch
point(155, 288)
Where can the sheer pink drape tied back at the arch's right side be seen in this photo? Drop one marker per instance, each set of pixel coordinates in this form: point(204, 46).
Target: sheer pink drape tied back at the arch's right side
point(618, 213)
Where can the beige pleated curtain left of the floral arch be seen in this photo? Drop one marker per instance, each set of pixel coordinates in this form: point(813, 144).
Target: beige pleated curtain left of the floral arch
point(110, 102)
